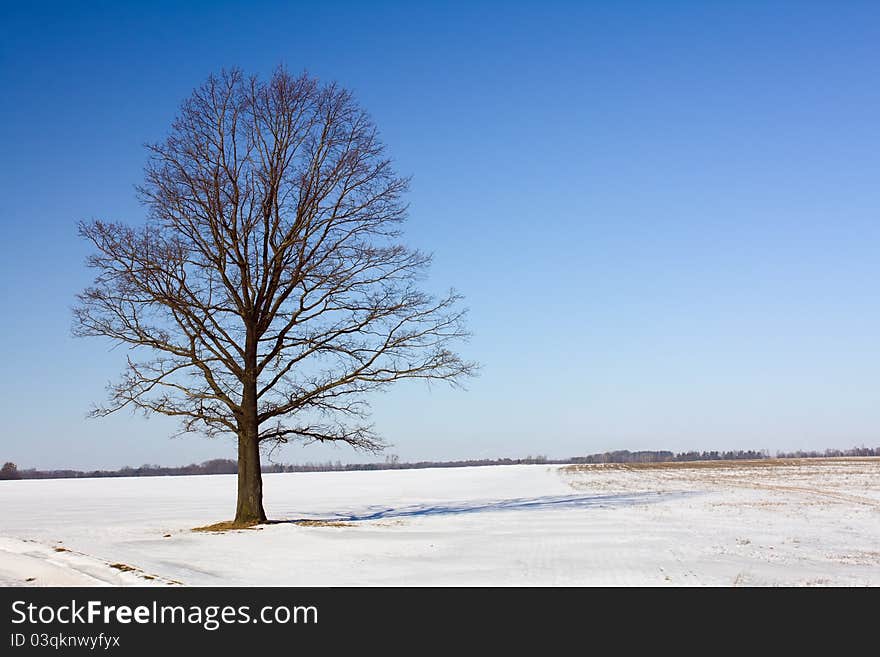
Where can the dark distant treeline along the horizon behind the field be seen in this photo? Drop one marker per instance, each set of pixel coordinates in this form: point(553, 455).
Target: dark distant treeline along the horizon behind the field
point(228, 466)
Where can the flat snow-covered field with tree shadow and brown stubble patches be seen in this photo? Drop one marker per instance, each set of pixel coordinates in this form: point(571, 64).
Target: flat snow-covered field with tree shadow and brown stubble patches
point(812, 522)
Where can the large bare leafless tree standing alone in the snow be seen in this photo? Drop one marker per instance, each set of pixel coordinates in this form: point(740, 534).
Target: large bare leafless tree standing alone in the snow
point(266, 291)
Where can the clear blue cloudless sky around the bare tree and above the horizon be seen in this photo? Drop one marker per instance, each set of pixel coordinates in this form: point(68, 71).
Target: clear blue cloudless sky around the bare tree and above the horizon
point(665, 216)
